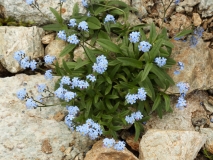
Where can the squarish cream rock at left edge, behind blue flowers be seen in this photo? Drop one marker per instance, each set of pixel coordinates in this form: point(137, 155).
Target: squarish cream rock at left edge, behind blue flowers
point(14, 39)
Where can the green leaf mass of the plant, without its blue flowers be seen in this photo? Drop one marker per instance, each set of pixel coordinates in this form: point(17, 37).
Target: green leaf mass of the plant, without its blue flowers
point(128, 68)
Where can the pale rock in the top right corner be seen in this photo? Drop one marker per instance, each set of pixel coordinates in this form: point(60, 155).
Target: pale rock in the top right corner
point(206, 6)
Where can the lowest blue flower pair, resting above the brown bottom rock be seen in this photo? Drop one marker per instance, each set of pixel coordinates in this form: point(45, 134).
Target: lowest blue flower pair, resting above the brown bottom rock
point(119, 146)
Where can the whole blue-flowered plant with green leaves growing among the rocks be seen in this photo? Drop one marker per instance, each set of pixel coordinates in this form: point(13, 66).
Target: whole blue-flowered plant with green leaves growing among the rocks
point(123, 79)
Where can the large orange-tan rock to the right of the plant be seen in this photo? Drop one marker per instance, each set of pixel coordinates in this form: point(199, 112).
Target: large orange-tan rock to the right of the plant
point(198, 65)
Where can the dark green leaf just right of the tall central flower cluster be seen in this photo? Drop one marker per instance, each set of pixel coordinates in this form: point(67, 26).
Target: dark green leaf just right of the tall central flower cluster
point(130, 62)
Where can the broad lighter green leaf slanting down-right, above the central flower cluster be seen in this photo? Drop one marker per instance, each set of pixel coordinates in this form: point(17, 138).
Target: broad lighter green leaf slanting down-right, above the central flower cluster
point(109, 45)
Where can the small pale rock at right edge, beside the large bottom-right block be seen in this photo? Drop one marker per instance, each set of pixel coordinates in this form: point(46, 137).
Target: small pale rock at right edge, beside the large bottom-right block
point(209, 141)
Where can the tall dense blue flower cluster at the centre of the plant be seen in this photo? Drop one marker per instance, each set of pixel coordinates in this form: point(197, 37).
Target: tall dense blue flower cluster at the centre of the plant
point(101, 64)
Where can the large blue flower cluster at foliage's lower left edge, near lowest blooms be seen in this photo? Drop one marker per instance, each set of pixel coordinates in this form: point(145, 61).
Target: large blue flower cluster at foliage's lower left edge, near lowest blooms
point(90, 128)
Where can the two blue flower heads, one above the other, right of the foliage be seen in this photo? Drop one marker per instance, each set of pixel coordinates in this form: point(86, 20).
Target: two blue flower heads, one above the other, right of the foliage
point(183, 88)
